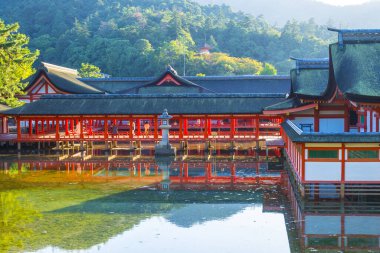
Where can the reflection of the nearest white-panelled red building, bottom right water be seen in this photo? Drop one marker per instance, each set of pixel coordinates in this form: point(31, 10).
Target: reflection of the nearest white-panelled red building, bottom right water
point(335, 226)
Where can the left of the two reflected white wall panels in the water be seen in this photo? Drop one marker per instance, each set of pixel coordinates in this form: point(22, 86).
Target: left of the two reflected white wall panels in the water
point(322, 225)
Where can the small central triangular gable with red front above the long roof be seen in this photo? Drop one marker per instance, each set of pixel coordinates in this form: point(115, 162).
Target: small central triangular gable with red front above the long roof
point(172, 82)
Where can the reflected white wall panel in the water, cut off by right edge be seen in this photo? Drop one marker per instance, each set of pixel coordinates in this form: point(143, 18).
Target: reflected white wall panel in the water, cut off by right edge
point(362, 225)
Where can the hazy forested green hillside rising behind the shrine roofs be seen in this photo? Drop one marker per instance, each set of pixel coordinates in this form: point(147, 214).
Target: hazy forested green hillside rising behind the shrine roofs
point(139, 37)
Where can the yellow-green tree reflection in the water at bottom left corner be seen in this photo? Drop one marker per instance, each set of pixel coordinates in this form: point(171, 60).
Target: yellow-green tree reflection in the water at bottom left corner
point(16, 217)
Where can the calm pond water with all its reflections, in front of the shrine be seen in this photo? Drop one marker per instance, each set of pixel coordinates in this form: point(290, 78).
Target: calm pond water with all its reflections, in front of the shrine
point(138, 204)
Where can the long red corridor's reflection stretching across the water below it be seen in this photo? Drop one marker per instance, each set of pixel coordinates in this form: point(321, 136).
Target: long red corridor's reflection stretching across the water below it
point(182, 175)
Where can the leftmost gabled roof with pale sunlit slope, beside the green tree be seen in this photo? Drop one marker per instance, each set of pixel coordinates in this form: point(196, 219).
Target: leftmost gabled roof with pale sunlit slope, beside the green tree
point(64, 79)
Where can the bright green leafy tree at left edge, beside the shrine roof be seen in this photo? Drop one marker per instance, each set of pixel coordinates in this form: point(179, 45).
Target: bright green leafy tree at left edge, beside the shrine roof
point(16, 62)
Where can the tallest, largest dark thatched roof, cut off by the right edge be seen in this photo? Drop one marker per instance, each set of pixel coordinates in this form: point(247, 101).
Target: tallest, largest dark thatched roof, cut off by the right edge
point(355, 62)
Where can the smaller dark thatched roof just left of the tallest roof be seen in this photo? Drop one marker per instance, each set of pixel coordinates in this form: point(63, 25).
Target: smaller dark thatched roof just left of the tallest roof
point(310, 78)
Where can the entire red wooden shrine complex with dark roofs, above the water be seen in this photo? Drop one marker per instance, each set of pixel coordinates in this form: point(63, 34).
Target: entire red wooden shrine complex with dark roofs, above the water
point(325, 114)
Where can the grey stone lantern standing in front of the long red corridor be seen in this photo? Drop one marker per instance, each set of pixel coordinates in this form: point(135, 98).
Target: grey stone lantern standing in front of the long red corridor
point(163, 148)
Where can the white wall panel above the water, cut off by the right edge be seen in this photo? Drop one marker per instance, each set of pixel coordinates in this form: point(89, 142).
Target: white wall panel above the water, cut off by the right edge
point(363, 171)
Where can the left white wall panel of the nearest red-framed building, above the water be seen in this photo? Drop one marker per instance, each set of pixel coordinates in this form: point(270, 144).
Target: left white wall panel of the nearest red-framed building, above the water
point(322, 171)
